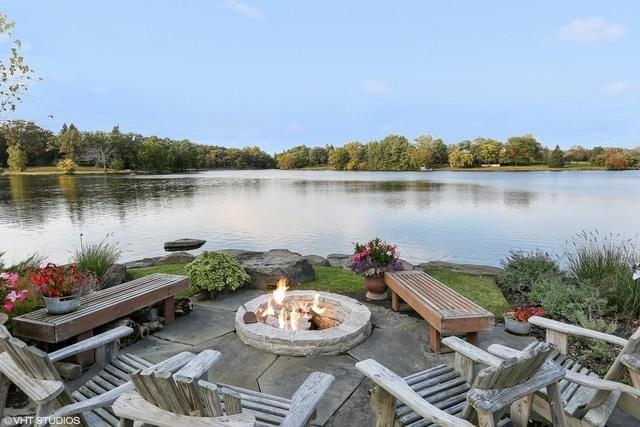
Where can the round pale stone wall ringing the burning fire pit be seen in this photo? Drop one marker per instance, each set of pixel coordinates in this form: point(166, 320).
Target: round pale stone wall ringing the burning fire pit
point(355, 328)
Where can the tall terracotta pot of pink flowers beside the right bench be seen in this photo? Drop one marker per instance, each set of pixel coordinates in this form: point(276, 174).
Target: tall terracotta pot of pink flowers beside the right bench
point(371, 261)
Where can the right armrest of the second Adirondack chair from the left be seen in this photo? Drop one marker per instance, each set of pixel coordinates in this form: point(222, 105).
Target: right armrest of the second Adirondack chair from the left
point(306, 399)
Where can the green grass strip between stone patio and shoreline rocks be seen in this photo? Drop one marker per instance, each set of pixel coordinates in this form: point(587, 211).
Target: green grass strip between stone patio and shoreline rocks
point(480, 289)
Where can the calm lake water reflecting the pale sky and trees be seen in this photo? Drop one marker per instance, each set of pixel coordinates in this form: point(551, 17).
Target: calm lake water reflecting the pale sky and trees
point(468, 217)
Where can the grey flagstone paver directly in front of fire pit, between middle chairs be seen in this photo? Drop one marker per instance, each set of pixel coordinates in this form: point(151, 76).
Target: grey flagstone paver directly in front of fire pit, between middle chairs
point(287, 374)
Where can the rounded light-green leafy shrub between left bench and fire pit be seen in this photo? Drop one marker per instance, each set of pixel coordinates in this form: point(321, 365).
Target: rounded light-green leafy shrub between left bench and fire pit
point(216, 271)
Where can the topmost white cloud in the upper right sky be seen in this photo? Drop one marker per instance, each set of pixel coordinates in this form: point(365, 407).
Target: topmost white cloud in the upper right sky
point(591, 31)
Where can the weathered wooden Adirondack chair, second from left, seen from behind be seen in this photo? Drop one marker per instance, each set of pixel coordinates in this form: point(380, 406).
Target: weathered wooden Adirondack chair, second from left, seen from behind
point(185, 399)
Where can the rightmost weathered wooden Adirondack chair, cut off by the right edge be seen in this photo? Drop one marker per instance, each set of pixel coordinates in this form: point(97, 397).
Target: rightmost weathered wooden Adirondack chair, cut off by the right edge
point(589, 400)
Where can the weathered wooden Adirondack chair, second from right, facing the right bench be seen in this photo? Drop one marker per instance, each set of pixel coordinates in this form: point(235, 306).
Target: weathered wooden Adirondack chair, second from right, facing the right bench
point(445, 397)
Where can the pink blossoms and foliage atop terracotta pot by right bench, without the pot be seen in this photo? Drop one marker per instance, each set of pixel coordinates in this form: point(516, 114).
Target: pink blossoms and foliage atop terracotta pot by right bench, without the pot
point(374, 258)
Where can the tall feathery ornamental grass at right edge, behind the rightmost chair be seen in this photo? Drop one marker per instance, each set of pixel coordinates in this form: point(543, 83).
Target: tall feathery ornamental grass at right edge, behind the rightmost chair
point(606, 262)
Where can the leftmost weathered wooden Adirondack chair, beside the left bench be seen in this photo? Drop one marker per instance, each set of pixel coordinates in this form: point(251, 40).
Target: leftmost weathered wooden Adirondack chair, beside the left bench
point(89, 394)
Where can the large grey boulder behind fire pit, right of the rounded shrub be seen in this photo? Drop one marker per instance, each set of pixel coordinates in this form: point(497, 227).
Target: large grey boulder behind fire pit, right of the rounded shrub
point(265, 268)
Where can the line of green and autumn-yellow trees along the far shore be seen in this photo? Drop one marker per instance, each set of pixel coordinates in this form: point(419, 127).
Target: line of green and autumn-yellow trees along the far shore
point(24, 144)
